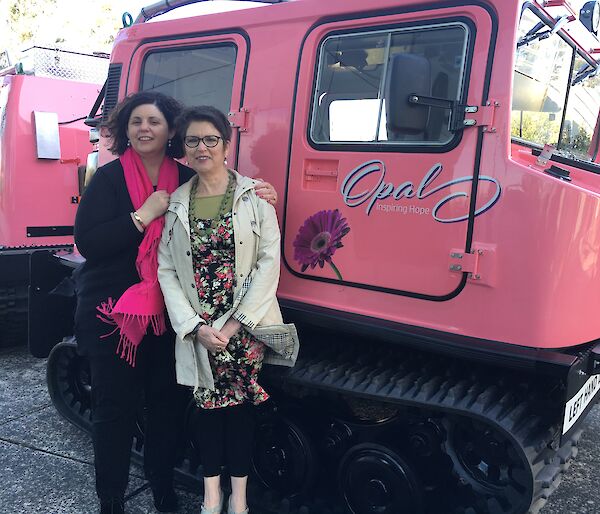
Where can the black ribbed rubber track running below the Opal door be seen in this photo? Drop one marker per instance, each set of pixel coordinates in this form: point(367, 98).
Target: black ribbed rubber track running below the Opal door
point(415, 383)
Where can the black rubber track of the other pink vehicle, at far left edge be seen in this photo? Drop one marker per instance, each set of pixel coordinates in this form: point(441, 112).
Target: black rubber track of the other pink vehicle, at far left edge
point(13, 315)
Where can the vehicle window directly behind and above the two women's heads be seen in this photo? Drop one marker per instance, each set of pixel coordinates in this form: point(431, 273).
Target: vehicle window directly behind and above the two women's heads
point(194, 76)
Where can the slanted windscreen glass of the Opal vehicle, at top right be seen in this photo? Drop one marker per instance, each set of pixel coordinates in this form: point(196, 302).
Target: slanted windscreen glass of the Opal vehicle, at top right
point(556, 93)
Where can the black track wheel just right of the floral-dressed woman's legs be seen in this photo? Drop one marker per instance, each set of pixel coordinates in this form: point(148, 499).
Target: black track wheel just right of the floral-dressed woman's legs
point(284, 458)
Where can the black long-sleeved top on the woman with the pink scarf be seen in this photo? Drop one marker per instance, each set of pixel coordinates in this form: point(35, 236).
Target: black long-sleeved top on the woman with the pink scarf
point(107, 237)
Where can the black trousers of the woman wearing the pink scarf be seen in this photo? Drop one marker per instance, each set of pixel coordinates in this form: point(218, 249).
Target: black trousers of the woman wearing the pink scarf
point(117, 393)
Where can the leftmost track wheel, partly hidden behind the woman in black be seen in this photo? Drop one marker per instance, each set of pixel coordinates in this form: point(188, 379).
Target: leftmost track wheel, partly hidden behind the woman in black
point(68, 377)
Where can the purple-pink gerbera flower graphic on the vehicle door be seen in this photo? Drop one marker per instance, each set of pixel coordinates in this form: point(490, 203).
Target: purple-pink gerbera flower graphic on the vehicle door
point(318, 239)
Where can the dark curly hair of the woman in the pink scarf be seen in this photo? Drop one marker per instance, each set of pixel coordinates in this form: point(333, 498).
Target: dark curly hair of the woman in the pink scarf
point(119, 118)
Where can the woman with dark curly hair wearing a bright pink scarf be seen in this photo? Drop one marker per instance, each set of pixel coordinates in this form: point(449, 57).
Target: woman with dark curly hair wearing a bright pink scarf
point(120, 321)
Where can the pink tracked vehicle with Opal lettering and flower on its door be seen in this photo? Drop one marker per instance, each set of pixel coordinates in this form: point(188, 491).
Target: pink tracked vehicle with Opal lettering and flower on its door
point(439, 176)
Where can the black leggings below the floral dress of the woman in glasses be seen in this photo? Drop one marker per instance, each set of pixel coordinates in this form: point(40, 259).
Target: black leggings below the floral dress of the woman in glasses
point(226, 437)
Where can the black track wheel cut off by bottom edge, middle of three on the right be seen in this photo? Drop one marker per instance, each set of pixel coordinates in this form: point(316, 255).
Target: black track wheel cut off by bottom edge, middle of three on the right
point(374, 479)
